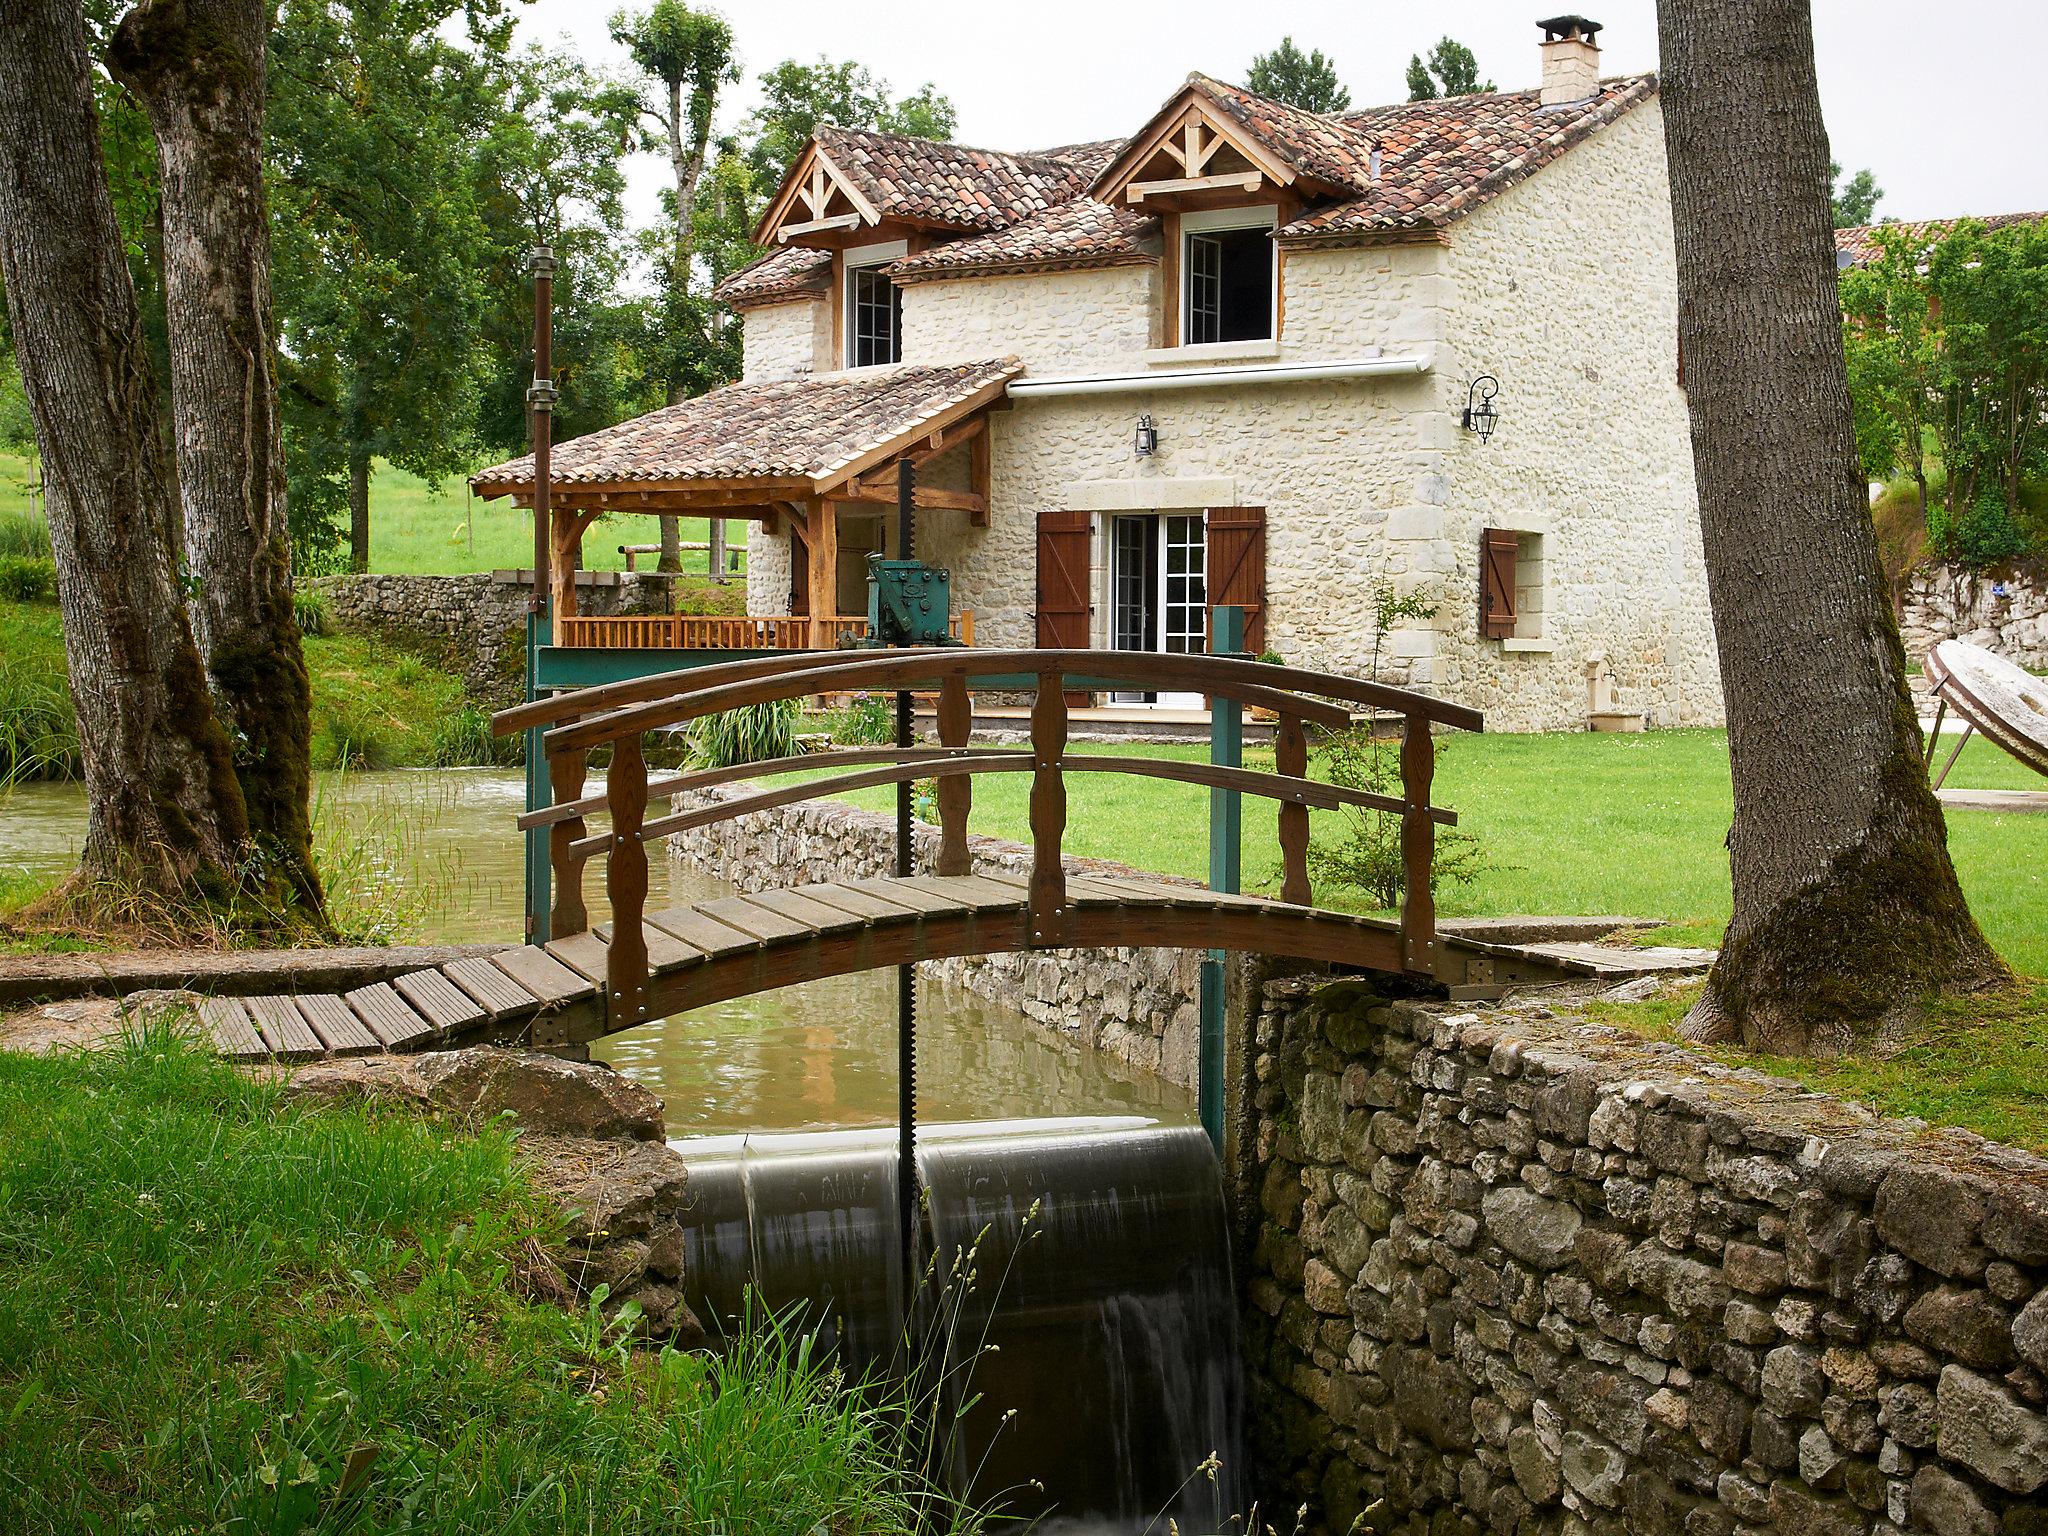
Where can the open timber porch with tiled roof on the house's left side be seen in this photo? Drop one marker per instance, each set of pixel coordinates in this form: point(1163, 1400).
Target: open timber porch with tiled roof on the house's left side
point(802, 456)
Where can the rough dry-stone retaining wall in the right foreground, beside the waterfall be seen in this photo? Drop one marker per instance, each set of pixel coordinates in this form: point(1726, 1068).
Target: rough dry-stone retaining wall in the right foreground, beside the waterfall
point(1523, 1275)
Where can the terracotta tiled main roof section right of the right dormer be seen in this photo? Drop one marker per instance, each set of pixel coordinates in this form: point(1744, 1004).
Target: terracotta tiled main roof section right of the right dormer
point(1443, 159)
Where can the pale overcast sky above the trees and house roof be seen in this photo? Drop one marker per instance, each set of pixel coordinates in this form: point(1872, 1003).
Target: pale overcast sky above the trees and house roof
point(1940, 101)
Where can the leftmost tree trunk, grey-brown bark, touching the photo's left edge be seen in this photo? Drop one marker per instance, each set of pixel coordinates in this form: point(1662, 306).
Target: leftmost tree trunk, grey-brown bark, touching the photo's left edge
point(165, 816)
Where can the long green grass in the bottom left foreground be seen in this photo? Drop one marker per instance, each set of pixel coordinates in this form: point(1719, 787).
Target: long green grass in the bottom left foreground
point(228, 1312)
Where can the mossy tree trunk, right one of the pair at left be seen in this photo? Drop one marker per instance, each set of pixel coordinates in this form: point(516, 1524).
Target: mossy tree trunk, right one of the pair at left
point(200, 71)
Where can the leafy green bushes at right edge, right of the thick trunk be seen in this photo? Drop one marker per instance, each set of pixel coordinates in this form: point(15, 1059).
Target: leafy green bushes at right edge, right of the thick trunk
point(1947, 345)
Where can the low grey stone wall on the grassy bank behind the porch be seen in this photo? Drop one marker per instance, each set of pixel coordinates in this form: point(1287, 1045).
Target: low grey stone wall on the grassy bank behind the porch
point(476, 624)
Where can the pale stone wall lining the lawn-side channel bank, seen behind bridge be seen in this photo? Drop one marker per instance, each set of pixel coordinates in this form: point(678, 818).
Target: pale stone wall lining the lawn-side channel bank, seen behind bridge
point(1140, 1005)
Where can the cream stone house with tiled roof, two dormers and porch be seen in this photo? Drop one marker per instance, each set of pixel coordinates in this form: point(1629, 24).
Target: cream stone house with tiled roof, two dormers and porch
point(1250, 355)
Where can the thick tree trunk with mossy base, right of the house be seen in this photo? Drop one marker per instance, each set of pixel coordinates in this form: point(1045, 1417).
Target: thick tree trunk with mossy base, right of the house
point(1846, 904)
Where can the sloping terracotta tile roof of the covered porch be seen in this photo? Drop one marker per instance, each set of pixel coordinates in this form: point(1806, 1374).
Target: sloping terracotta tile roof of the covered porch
point(792, 429)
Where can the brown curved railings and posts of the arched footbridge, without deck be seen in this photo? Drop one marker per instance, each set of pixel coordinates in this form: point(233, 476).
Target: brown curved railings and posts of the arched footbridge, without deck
point(622, 714)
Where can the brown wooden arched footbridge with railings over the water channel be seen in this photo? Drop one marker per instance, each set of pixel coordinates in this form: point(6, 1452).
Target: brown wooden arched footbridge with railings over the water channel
point(585, 982)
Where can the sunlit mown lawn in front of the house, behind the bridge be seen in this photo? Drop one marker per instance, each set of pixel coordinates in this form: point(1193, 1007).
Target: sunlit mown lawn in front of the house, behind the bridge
point(1629, 826)
